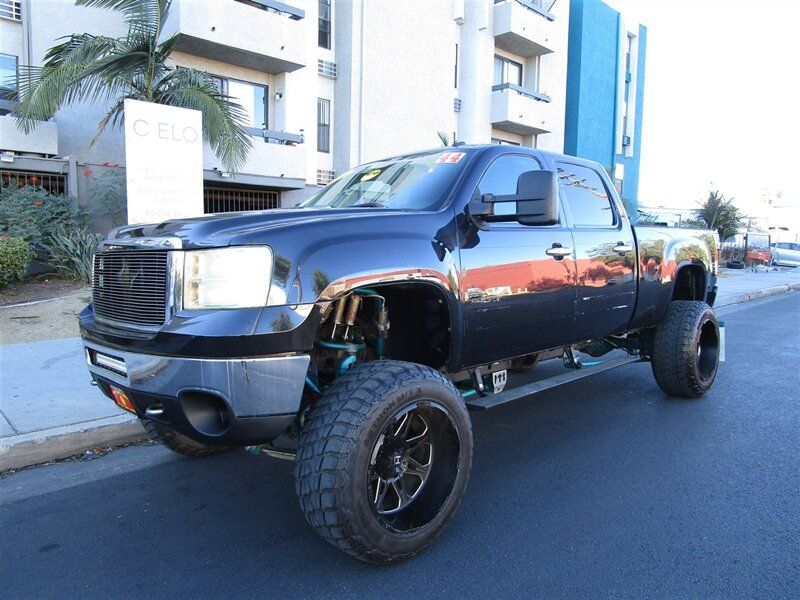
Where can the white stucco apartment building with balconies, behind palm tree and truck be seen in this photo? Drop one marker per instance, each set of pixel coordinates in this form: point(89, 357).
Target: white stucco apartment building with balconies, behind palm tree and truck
point(326, 84)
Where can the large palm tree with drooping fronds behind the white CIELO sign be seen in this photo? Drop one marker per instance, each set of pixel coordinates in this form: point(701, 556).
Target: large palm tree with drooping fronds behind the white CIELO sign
point(95, 68)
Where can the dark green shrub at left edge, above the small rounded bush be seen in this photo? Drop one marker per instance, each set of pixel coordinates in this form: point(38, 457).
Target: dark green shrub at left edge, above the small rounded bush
point(33, 213)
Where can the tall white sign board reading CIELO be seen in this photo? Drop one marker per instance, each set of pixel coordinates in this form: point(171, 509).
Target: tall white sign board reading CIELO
point(163, 162)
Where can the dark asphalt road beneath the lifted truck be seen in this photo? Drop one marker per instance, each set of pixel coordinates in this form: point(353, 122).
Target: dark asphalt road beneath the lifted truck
point(603, 488)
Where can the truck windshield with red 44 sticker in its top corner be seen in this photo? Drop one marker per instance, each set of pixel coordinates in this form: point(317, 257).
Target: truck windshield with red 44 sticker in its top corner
point(417, 182)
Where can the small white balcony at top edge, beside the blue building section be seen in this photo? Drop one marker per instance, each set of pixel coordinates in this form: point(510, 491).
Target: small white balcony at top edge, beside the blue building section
point(523, 27)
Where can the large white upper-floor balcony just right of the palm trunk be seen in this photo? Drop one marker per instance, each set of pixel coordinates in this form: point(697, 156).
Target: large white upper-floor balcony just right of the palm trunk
point(264, 35)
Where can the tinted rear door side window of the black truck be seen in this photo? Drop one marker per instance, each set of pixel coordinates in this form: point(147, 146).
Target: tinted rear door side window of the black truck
point(587, 197)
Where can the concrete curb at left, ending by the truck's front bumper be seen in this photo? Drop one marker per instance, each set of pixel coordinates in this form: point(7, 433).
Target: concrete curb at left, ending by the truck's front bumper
point(29, 449)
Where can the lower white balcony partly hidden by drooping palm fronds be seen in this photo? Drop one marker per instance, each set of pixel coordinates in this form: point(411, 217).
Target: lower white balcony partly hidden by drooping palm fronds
point(275, 155)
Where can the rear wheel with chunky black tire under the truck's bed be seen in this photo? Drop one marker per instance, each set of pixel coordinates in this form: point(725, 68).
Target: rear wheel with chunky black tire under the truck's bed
point(685, 355)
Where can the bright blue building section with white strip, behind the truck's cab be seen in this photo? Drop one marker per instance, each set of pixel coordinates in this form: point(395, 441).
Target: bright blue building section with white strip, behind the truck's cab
point(605, 92)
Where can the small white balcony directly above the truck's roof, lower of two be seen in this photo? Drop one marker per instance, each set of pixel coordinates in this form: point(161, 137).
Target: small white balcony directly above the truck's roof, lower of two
point(521, 111)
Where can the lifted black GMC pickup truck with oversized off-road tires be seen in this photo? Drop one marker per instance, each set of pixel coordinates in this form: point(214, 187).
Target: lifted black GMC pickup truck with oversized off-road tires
point(352, 333)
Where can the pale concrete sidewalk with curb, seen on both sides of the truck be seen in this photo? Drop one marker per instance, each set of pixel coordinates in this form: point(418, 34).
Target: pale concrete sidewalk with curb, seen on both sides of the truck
point(49, 410)
